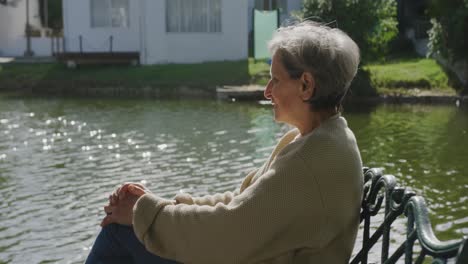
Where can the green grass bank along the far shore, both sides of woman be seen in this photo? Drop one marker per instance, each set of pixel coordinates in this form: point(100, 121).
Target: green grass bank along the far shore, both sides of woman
point(401, 76)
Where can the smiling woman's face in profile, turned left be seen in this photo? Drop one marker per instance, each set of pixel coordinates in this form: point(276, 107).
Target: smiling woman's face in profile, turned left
point(284, 93)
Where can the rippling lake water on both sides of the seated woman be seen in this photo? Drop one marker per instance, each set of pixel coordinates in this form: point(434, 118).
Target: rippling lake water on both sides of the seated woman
point(60, 158)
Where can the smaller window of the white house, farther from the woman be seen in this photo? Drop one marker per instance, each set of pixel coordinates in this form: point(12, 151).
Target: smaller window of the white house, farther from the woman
point(110, 13)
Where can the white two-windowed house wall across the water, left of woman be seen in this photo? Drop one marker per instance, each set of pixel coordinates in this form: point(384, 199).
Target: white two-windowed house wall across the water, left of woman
point(162, 31)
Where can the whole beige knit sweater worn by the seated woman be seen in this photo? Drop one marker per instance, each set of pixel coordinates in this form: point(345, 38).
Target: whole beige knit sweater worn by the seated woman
point(301, 206)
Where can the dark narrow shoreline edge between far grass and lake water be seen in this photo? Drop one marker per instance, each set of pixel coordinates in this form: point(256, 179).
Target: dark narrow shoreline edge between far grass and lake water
point(160, 91)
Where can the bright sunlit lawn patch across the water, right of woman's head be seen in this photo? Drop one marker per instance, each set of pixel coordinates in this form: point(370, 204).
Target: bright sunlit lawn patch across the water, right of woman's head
point(409, 76)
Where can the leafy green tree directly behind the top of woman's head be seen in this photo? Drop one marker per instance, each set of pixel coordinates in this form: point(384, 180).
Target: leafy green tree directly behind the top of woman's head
point(371, 23)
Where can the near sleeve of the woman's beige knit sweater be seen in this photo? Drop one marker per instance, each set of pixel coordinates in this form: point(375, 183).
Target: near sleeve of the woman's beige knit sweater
point(272, 215)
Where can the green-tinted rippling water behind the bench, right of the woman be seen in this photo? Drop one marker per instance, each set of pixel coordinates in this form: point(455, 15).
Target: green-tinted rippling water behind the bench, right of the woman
point(425, 147)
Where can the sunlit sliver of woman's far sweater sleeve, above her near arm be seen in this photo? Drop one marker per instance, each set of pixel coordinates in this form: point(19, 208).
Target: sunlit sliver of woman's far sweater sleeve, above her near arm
point(212, 200)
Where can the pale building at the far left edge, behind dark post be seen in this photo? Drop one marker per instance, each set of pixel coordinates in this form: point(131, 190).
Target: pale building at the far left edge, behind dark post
point(13, 25)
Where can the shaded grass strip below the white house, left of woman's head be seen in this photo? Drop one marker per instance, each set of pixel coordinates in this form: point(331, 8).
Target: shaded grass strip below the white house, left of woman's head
point(209, 74)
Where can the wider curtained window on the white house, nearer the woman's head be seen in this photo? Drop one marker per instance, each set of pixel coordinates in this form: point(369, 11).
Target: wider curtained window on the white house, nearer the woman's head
point(193, 15)
